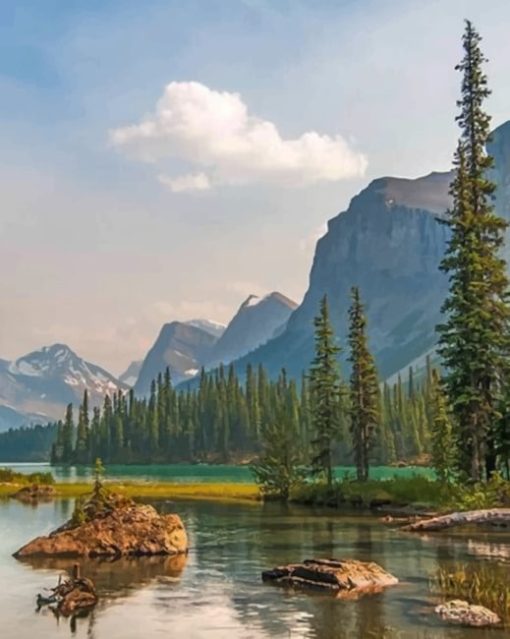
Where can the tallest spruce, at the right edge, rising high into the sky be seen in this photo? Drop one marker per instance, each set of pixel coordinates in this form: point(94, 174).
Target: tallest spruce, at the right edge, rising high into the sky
point(474, 338)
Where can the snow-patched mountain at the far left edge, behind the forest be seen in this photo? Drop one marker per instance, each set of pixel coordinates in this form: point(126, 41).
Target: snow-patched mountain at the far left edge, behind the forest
point(37, 386)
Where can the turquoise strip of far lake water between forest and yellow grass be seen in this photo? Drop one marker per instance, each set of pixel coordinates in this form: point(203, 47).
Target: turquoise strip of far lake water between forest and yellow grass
point(190, 473)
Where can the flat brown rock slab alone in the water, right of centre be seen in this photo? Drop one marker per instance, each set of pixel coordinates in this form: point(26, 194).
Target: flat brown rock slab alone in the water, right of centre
point(344, 577)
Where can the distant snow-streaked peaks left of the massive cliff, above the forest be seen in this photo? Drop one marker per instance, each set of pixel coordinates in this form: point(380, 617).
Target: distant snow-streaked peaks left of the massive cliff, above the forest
point(37, 387)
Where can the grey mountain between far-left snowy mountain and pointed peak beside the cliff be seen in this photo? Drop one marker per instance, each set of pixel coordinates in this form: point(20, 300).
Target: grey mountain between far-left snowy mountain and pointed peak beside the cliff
point(180, 346)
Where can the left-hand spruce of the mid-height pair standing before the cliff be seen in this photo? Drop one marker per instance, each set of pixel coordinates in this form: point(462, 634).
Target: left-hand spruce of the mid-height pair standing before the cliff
point(325, 394)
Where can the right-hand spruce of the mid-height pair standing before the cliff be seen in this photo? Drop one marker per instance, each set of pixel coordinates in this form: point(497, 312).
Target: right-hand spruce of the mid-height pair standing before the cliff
point(364, 404)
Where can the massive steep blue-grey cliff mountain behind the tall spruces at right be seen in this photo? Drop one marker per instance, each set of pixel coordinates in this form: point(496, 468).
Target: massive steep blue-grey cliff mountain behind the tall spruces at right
point(389, 243)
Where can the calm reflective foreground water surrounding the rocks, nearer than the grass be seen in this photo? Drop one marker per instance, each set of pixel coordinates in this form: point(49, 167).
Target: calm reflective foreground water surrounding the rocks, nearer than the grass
point(218, 594)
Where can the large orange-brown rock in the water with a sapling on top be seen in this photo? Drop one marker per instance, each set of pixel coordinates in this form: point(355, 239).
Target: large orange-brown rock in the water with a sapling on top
point(115, 527)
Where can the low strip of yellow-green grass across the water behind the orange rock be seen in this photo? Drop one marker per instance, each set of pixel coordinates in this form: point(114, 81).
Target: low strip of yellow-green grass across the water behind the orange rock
point(213, 491)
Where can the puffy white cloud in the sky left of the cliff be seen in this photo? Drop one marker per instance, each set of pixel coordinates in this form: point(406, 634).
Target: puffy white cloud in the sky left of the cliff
point(213, 130)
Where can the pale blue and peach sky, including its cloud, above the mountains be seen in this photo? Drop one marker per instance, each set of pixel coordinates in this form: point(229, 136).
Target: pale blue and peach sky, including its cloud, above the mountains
point(163, 160)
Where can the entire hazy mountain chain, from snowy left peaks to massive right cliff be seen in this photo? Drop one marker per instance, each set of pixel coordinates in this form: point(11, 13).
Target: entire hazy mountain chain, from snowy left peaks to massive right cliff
point(388, 242)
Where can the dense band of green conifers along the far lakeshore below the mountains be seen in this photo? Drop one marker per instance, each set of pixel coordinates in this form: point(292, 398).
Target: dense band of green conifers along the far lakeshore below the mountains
point(228, 419)
